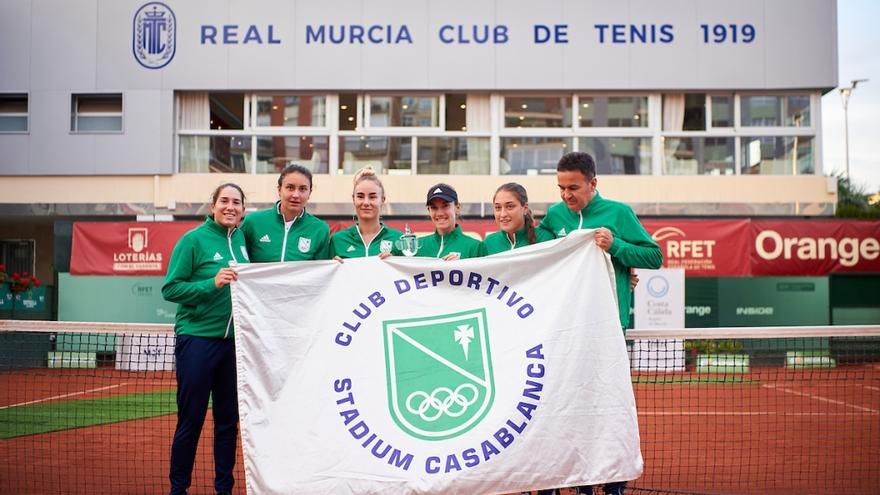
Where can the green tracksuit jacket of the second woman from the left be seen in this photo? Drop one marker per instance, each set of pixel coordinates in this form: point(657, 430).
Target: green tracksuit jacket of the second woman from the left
point(266, 239)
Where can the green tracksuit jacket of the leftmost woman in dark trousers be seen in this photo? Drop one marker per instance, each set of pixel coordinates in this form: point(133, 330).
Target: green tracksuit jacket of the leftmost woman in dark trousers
point(203, 310)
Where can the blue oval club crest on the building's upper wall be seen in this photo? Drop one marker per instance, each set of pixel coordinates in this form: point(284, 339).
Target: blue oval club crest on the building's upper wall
point(154, 35)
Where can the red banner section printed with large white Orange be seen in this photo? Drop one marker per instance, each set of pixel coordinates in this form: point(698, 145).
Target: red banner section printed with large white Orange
point(814, 247)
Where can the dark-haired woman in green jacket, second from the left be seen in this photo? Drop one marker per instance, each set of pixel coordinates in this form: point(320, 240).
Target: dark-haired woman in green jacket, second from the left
point(287, 232)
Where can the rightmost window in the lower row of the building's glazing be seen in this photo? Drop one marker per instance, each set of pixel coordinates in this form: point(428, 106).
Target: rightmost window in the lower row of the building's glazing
point(777, 155)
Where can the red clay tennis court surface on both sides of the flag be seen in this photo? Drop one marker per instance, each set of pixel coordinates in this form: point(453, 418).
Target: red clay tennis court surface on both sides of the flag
point(784, 432)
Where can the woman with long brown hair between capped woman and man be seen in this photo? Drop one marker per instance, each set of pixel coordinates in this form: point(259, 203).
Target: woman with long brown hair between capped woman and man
point(513, 217)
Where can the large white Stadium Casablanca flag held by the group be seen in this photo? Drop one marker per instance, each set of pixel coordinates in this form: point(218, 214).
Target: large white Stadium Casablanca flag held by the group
point(414, 375)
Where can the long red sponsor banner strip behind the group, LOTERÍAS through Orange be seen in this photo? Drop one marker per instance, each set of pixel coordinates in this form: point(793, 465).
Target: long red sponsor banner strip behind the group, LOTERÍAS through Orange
point(704, 248)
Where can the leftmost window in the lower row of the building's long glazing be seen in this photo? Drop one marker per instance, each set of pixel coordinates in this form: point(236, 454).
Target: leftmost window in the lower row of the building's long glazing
point(222, 154)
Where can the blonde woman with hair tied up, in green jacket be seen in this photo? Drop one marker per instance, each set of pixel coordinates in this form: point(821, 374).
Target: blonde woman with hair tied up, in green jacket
point(367, 237)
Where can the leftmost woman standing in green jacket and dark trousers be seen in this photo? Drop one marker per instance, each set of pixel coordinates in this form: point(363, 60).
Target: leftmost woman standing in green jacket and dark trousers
point(201, 268)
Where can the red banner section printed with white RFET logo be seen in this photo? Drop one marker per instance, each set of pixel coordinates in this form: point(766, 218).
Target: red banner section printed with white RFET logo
point(704, 248)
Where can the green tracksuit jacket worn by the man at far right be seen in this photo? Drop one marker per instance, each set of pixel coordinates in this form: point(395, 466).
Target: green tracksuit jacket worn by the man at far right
point(632, 246)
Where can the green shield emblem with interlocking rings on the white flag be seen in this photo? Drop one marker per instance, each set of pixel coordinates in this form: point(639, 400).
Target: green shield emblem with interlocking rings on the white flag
point(439, 373)
